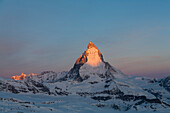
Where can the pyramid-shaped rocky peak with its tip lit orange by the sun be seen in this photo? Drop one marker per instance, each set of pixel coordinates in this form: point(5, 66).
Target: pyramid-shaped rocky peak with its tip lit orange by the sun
point(91, 62)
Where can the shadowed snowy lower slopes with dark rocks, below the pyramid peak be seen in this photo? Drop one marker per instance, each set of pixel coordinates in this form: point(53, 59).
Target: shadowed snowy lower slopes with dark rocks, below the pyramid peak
point(95, 94)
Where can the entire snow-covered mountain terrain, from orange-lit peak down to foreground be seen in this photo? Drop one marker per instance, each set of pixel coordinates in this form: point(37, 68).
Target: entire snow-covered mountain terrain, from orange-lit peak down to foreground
point(91, 84)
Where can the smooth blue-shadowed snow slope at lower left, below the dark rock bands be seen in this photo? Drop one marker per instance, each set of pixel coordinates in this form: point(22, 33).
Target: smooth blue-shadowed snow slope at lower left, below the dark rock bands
point(39, 103)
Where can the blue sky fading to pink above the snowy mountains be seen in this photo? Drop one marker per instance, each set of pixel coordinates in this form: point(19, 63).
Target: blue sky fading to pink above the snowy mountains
point(38, 35)
